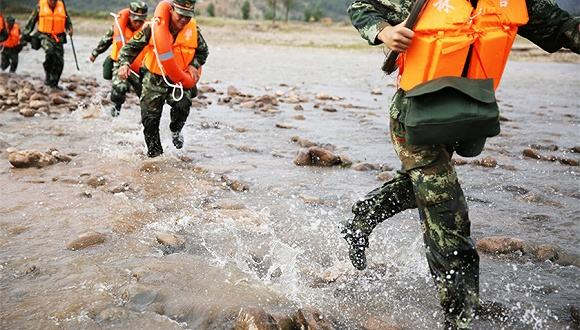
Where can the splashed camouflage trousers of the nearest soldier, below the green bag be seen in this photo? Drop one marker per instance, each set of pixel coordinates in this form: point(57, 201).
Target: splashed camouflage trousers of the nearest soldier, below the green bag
point(429, 182)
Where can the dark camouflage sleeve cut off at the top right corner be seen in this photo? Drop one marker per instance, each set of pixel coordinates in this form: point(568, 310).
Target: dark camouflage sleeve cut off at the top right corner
point(550, 27)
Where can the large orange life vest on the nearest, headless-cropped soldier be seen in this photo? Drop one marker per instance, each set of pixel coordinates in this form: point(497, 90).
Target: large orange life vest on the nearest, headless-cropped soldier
point(448, 29)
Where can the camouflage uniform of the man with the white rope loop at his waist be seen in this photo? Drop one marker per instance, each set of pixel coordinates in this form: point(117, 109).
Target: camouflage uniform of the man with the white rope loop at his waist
point(155, 92)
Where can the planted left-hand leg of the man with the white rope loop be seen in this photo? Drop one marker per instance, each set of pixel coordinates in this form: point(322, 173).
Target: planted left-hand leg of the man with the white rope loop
point(152, 101)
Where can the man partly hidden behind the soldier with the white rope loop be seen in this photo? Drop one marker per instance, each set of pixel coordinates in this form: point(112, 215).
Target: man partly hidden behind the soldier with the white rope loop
point(127, 22)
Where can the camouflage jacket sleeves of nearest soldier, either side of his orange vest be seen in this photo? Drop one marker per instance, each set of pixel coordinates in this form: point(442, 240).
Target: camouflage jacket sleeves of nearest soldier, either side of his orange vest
point(549, 27)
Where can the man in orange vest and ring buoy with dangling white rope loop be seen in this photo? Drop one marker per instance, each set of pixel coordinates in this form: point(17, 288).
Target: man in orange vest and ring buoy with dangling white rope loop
point(174, 53)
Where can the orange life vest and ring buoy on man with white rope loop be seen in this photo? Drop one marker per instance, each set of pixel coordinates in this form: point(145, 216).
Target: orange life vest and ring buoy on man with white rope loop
point(174, 55)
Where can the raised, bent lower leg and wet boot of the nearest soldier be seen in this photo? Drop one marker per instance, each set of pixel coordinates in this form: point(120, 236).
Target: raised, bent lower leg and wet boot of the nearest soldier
point(377, 206)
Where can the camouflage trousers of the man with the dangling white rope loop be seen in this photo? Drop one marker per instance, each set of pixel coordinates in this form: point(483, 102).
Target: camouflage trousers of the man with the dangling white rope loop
point(154, 95)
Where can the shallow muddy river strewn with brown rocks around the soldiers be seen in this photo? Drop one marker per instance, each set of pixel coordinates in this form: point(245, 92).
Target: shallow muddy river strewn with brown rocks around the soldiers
point(240, 228)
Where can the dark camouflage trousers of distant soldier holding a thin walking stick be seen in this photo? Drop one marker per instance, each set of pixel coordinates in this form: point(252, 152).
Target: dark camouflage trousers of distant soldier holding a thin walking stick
point(54, 58)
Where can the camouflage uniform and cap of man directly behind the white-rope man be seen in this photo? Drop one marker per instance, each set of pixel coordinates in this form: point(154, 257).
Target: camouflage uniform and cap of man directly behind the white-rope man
point(120, 87)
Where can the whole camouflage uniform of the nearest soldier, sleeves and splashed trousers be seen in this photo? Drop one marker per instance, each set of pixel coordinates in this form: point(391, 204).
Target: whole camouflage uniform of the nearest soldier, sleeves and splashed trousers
point(428, 180)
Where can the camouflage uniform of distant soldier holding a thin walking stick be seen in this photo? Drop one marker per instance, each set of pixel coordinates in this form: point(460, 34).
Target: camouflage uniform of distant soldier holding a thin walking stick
point(53, 48)
